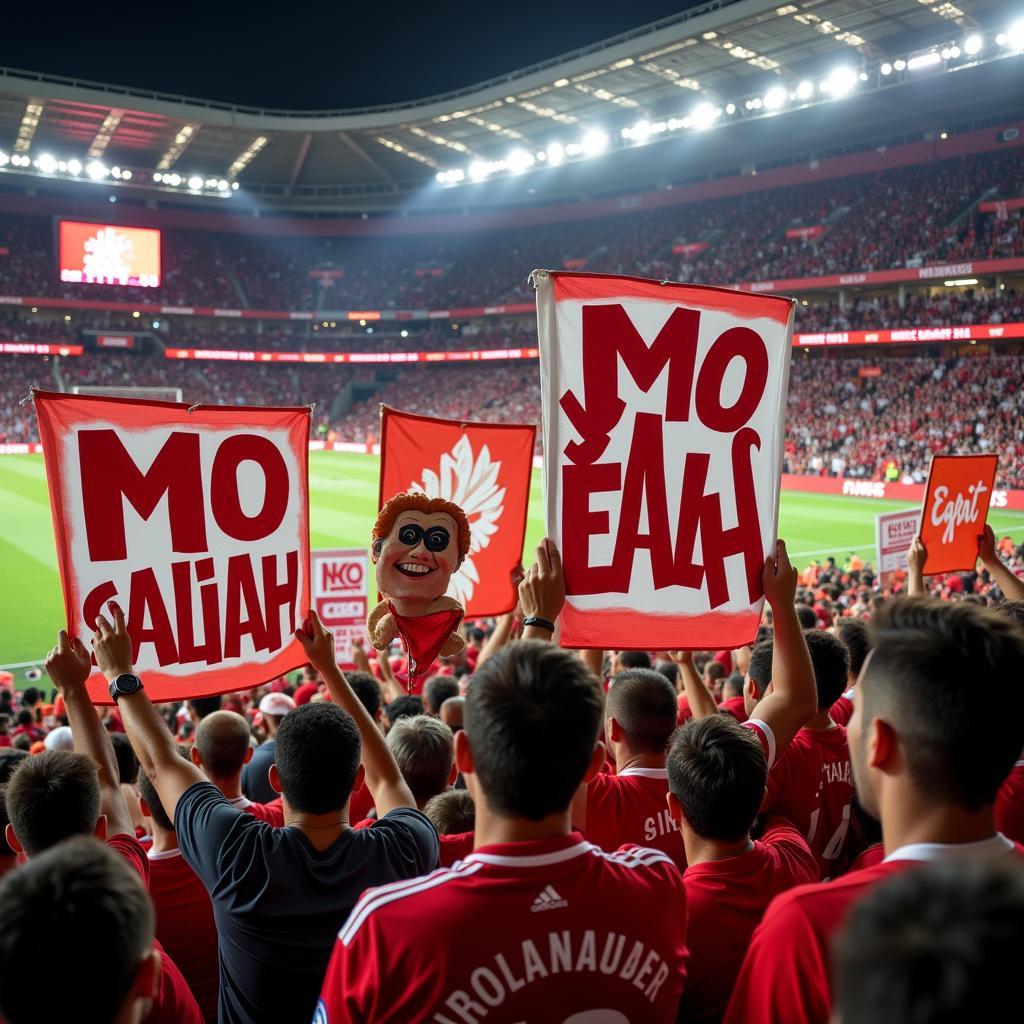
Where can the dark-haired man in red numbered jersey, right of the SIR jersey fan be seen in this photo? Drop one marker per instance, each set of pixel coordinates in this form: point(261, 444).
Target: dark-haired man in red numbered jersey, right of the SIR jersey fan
point(812, 785)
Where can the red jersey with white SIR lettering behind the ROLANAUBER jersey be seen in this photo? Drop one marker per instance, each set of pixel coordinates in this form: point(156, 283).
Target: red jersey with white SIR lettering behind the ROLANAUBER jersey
point(631, 807)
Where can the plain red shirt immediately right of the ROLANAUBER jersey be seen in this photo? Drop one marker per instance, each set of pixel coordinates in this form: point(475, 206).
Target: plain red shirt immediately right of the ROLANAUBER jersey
point(726, 901)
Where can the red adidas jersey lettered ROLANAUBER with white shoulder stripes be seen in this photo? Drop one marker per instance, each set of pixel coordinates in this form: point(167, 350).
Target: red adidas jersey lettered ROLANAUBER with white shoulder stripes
point(544, 930)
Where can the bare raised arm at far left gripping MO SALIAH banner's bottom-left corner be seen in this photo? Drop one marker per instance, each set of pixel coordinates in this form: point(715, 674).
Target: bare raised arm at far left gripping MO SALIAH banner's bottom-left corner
point(69, 667)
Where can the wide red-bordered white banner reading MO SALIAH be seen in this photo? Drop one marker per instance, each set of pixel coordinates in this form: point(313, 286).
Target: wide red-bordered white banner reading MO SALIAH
point(196, 521)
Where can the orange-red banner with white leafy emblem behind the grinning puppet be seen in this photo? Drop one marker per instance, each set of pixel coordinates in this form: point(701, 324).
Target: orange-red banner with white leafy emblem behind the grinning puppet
point(486, 468)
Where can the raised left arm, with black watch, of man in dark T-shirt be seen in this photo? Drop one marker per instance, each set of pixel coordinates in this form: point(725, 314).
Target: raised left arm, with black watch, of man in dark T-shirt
point(149, 735)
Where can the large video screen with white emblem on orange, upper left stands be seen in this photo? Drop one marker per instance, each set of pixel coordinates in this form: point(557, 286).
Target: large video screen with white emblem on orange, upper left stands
point(110, 254)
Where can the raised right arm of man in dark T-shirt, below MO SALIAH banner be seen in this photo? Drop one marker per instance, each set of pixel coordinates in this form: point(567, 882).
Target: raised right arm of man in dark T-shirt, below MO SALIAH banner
point(383, 779)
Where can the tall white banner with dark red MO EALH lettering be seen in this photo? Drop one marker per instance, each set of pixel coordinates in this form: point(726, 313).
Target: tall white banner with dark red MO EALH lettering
point(664, 409)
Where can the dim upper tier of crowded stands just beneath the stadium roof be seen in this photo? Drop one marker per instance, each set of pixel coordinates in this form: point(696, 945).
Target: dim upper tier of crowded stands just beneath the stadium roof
point(904, 218)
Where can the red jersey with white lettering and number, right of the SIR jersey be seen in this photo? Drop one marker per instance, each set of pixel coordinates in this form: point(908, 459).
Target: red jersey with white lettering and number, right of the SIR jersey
point(812, 785)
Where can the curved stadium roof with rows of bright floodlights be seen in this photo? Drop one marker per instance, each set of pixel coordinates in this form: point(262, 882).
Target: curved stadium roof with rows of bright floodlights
point(659, 75)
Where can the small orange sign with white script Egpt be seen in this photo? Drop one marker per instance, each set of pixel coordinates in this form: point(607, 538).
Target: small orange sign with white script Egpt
point(953, 519)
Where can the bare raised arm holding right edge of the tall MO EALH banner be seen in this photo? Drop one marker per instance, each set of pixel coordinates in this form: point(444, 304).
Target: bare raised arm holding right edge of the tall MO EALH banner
point(793, 701)
